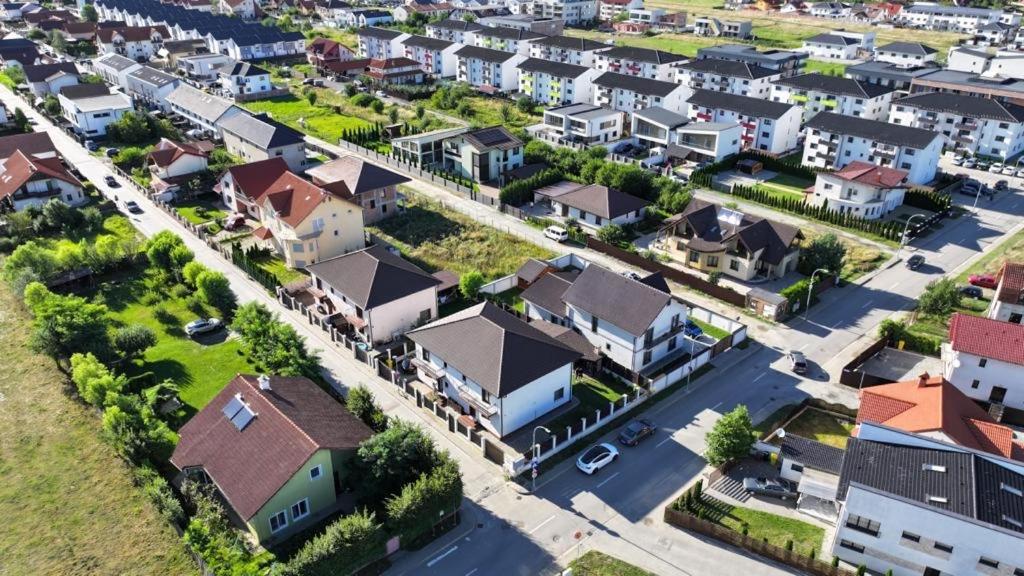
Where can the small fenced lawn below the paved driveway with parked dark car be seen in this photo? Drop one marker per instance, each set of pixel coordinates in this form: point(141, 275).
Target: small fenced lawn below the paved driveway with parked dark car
point(777, 529)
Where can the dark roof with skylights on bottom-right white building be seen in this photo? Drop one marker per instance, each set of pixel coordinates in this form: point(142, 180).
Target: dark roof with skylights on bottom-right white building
point(972, 485)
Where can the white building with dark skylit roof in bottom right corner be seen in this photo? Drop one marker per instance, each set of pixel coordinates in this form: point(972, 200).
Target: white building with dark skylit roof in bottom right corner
point(928, 508)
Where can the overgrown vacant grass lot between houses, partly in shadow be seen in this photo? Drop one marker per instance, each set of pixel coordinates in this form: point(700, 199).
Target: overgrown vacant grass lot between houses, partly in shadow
point(437, 238)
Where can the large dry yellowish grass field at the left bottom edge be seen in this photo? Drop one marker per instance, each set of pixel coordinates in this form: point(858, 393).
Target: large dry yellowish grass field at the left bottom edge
point(69, 501)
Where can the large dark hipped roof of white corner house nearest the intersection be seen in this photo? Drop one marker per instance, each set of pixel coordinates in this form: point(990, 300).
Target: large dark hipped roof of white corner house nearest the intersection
point(494, 349)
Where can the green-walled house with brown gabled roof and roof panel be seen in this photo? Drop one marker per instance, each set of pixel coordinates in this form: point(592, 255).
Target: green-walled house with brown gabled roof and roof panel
point(277, 448)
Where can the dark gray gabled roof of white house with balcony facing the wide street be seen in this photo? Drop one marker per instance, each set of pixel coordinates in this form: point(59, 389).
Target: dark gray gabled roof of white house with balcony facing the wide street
point(627, 304)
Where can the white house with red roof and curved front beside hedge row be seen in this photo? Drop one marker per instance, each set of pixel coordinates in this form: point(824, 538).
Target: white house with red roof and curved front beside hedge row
point(865, 190)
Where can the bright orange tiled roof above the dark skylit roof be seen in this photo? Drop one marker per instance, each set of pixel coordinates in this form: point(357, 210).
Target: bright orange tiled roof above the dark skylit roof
point(931, 404)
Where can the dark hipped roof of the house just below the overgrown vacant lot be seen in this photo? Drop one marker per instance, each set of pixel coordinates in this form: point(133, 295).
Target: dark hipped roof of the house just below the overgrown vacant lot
point(373, 277)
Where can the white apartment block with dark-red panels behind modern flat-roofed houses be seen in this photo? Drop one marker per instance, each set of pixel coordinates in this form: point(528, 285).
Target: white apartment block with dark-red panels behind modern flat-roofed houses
point(769, 127)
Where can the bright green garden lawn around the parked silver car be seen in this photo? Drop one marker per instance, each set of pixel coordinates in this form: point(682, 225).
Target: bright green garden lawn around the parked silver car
point(200, 369)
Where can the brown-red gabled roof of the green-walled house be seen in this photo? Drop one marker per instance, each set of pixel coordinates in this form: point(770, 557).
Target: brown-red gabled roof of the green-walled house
point(293, 421)
